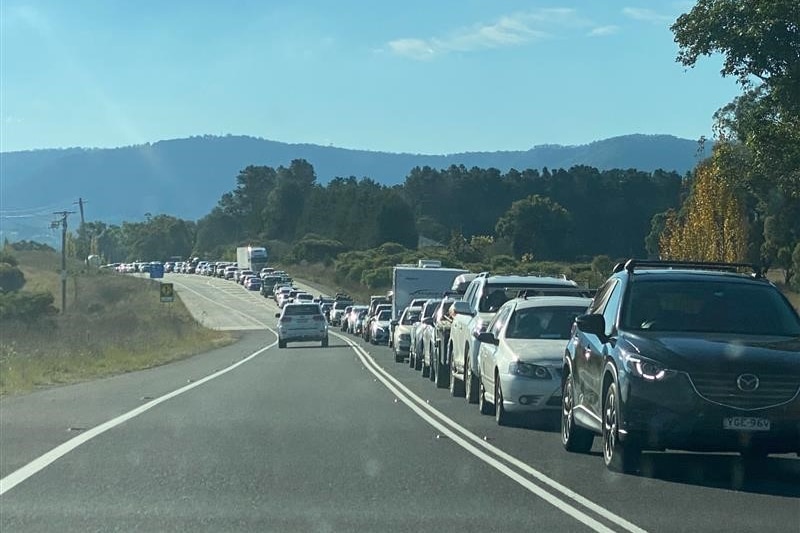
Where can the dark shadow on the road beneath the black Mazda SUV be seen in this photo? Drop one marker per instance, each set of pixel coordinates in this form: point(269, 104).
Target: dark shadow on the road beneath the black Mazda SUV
point(776, 476)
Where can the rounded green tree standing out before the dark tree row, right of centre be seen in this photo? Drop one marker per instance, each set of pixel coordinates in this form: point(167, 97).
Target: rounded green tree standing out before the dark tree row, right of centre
point(536, 225)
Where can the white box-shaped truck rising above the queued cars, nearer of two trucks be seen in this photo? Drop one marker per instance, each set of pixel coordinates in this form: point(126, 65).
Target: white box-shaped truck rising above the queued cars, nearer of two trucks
point(426, 279)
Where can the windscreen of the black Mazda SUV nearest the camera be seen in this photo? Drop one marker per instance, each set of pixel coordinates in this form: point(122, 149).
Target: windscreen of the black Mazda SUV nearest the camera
point(750, 308)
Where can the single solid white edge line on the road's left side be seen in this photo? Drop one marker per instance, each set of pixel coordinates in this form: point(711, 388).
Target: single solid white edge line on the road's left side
point(38, 464)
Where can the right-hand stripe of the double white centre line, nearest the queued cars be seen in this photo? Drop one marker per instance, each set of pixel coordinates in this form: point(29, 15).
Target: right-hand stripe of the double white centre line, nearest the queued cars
point(420, 403)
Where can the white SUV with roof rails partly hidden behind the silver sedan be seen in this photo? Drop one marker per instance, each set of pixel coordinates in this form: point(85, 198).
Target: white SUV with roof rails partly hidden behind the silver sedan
point(483, 297)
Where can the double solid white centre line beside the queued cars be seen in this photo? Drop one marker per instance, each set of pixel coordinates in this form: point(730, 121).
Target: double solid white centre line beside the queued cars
point(417, 405)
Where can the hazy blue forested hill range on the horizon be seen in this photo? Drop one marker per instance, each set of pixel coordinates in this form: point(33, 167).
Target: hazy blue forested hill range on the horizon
point(186, 177)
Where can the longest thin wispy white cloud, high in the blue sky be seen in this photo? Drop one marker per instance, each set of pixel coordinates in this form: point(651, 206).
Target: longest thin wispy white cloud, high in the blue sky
point(510, 30)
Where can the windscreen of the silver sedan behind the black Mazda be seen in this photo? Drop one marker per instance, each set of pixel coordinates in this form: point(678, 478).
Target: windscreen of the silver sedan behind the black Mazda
point(543, 322)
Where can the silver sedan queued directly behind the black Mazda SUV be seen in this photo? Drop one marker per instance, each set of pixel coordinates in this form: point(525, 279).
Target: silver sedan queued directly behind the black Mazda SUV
point(521, 355)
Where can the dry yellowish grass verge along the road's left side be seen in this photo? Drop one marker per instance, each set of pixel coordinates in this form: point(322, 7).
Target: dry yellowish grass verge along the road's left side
point(114, 324)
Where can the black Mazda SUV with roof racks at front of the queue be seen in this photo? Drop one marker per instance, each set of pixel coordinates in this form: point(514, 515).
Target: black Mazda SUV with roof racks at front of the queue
point(678, 355)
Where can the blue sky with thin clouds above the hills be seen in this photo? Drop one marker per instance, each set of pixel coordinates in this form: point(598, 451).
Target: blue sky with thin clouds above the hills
point(412, 76)
